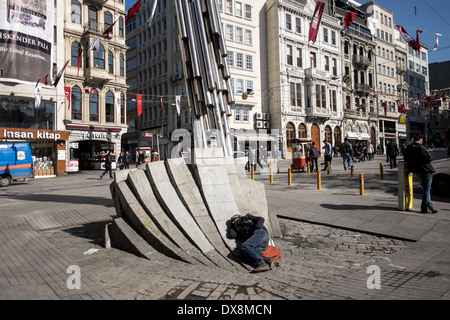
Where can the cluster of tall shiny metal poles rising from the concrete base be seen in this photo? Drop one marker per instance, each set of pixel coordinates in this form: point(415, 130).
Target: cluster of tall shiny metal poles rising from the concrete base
point(207, 75)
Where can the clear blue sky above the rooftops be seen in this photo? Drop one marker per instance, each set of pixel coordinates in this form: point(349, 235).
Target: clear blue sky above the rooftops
point(430, 16)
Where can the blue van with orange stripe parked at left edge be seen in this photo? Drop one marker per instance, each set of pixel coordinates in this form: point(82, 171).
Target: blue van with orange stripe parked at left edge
point(16, 162)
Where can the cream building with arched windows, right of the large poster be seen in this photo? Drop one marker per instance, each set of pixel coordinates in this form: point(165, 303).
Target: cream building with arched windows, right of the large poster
point(95, 79)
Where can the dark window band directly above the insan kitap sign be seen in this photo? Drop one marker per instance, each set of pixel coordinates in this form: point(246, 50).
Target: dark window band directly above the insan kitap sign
point(20, 113)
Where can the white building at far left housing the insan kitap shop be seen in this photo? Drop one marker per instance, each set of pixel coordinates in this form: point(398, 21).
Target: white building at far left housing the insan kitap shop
point(21, 119)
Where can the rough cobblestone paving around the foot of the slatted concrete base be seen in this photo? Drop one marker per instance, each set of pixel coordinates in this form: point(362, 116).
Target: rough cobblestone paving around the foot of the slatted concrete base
point(312, 257)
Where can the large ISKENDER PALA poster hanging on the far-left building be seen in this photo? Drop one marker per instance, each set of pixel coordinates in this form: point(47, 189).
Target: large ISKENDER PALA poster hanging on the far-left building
point(26, 36)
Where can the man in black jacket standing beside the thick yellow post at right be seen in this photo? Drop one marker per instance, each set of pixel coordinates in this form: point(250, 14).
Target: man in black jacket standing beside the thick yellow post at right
point(418, 160)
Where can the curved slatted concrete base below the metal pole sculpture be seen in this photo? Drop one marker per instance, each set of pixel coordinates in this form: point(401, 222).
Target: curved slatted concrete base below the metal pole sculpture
point(183, 212)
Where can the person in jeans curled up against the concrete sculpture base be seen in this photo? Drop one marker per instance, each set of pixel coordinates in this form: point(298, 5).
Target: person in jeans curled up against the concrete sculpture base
point(255, 239)
